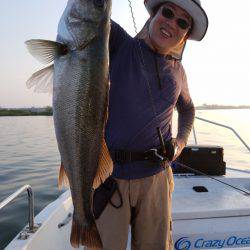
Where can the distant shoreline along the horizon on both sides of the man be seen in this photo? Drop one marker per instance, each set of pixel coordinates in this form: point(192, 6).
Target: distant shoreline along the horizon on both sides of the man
point(47, 111)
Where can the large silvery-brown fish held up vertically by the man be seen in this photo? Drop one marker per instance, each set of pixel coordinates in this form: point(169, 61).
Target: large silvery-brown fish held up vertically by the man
point(80, 76)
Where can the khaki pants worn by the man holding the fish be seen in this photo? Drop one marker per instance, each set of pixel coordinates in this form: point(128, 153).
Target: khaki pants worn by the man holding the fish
point(147, 208)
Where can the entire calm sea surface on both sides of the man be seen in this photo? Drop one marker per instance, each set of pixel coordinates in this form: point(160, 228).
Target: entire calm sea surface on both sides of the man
point(29, 155)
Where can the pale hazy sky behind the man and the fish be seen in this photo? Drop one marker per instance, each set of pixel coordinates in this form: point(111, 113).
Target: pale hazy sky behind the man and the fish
point(217, 68)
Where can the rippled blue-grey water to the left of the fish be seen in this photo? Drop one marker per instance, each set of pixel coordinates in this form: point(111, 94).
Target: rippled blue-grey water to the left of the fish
point(28, 155)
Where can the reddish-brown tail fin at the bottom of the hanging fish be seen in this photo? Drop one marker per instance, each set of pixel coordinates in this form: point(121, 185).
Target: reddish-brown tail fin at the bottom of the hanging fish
point(81, 235)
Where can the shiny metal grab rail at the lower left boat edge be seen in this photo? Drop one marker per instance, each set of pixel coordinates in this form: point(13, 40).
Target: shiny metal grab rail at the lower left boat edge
point(30, 200)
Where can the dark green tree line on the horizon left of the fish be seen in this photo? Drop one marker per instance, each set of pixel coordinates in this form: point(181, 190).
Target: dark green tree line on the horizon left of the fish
point(46, 111)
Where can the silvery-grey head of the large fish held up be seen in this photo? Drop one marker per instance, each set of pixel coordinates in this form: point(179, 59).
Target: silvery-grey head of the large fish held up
point(86, 18)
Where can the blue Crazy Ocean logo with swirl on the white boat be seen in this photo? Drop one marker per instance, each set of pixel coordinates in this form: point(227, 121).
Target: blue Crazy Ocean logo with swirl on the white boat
point(185, 243)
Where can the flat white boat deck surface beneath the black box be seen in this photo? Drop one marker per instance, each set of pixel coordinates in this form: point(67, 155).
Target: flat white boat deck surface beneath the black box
point(220, 200)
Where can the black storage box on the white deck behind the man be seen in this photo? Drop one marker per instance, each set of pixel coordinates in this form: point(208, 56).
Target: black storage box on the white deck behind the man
point(206, 159)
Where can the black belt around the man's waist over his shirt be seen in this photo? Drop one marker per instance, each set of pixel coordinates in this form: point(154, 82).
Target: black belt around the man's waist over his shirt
point(123, 156)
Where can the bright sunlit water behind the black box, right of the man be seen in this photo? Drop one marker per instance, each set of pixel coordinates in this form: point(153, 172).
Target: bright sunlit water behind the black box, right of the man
point(235, 153)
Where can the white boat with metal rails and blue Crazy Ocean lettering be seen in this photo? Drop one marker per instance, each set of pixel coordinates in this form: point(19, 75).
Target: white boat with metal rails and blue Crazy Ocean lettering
point(208, 212)
